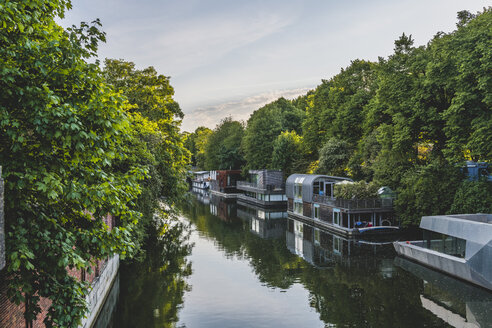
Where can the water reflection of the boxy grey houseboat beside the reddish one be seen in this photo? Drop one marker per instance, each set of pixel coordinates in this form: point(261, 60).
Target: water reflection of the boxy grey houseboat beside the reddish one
point(263, 222)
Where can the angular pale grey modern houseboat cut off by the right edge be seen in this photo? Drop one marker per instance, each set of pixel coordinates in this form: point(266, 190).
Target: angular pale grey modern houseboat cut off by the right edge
point(459, 245)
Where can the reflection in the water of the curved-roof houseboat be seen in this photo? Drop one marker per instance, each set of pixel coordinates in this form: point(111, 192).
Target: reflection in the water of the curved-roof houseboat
point(322, 248)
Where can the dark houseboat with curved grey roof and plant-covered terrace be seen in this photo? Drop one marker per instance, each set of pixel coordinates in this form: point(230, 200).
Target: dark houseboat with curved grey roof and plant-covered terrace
point(311, 198)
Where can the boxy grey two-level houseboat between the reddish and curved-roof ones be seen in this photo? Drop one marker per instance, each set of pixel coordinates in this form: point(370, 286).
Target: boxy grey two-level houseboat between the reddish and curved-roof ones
point(264, 188)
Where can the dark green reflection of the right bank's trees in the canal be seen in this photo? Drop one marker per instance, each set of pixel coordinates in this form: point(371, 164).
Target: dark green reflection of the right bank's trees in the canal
point(362, 289)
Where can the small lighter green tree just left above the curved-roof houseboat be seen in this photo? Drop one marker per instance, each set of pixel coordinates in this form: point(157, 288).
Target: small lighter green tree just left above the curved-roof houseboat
point(288, 154)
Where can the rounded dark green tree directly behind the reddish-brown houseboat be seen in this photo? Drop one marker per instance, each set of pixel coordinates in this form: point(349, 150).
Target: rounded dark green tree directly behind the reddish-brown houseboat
point(222, 150)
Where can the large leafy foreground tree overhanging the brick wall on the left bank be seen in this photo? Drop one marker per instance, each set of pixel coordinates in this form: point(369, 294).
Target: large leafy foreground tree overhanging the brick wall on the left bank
point(67, 152)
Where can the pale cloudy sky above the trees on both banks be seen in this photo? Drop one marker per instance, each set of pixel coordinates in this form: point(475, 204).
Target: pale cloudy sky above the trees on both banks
point(229, 58)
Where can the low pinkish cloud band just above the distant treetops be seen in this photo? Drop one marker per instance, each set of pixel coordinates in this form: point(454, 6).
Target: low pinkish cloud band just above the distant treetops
point(239, 109)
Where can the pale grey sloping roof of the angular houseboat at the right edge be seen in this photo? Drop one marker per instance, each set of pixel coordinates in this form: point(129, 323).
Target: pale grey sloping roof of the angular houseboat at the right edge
point(476, 228)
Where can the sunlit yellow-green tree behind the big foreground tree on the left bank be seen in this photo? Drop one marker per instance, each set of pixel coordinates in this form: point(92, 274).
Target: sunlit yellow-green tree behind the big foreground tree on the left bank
point(152, 97)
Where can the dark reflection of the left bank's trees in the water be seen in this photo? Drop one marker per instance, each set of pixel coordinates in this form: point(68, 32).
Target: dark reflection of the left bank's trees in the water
point(151, 291)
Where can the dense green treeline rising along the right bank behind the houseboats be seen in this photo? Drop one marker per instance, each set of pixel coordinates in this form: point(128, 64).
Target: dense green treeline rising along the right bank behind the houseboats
point(408, 121)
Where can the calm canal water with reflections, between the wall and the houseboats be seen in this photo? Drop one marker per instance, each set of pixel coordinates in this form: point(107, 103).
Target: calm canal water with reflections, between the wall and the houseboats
point(227, 264)
